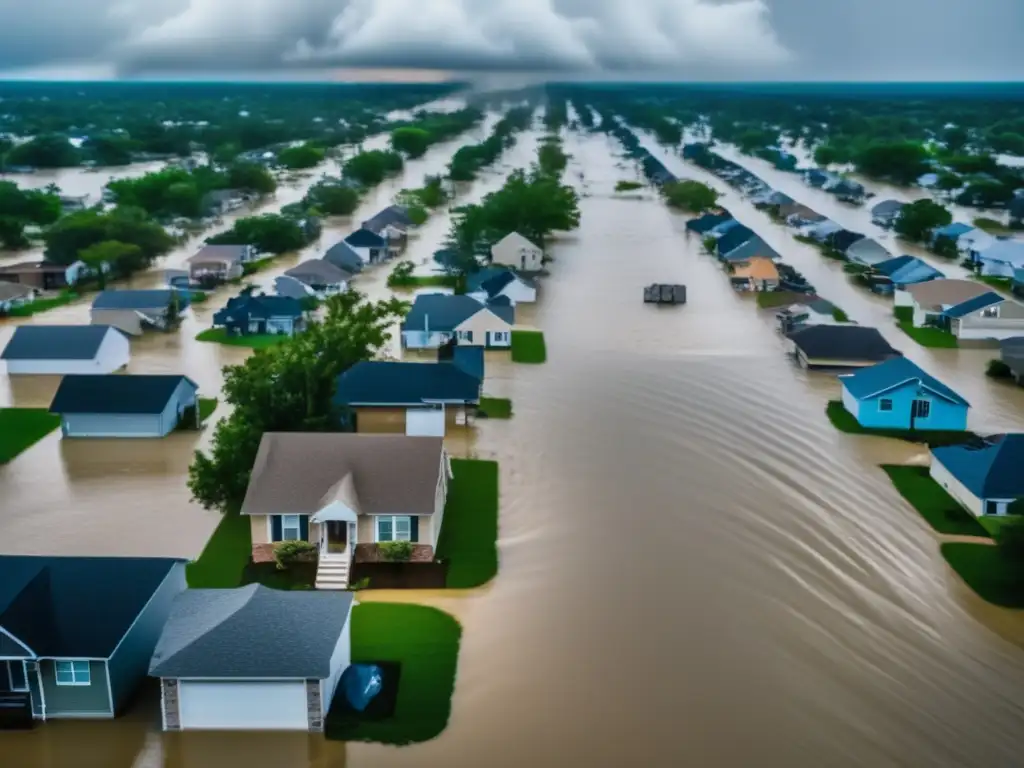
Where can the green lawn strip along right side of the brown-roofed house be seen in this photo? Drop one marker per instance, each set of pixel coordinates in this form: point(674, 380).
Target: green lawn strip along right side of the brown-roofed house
point(470, 532)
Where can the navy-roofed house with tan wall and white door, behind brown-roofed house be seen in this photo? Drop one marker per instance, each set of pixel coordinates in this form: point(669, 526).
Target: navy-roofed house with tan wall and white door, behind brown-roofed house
point(414, 399)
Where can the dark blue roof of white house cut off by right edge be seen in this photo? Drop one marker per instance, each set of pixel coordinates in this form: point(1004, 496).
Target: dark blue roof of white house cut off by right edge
point(992, 471)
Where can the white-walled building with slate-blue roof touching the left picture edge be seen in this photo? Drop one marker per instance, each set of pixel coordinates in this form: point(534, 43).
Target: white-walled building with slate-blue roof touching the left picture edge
point(66, 350)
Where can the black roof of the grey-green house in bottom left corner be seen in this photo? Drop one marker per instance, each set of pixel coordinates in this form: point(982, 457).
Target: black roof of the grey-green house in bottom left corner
point(76, 607)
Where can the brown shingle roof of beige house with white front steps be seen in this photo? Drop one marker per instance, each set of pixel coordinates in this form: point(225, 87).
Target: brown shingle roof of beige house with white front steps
point(303, 473)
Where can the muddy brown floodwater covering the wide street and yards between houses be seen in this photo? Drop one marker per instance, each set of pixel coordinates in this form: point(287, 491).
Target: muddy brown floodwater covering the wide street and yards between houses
point(697, 570)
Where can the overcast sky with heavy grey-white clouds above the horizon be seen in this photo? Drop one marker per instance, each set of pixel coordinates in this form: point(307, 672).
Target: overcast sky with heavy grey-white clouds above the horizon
point(676, 39)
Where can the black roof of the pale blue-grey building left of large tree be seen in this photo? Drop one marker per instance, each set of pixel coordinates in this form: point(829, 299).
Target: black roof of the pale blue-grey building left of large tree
point(113, 394)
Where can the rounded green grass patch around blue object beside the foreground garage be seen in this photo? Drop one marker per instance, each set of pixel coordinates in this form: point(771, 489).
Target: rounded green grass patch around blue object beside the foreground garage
point(424, 643)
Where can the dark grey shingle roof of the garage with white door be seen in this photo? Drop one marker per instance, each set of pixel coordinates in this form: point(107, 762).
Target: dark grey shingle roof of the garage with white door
point(250, 632)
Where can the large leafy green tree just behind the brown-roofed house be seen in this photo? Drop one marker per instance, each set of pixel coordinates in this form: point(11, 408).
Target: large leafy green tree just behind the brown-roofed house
point(288, 389)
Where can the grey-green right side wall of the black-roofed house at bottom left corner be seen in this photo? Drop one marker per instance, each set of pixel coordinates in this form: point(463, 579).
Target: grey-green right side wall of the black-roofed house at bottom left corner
point(131, 663)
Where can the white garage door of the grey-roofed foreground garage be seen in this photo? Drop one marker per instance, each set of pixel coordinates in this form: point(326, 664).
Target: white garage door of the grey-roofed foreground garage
point(240, 706)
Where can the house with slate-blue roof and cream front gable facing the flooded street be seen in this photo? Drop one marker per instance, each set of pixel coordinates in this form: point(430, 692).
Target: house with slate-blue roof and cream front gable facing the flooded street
point(436, 319)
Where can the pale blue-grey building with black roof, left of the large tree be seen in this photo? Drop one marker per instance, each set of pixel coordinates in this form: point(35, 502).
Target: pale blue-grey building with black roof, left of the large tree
point(118, 406)
